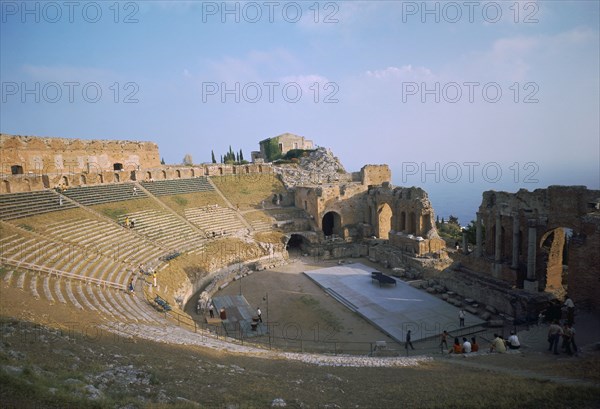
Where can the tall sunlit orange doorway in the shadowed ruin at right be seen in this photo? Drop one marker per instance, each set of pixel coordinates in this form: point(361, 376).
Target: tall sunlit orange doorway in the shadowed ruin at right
point(554, 257)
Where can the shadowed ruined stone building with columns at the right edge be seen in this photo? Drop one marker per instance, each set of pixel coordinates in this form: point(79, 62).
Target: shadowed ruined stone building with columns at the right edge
point(547, 240)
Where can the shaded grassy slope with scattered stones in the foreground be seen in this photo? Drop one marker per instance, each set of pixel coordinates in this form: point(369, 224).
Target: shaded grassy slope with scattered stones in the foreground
point(82, 367)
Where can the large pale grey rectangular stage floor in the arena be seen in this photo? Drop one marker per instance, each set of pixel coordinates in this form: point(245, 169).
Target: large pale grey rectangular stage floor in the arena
point(394, 309)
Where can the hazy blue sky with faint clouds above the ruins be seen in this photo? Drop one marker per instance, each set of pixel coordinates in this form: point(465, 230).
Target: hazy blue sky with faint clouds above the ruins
point(456, 97)
